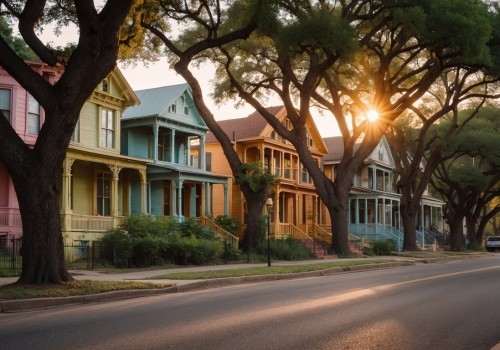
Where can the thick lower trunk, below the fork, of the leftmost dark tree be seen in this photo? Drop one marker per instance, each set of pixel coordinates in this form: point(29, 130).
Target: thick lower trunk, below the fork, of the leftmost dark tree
point(42, 246)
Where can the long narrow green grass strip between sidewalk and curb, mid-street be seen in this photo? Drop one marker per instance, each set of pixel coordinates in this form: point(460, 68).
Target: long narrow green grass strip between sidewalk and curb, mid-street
point(264, 270)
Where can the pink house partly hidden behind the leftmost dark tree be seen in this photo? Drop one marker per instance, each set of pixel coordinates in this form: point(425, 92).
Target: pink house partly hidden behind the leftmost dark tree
point(26, 117)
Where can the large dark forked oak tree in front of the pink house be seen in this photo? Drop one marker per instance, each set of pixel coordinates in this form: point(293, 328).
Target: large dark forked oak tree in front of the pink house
point(36, 172)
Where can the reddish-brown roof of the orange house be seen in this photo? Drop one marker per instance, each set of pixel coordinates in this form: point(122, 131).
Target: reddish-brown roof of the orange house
point(248, 127)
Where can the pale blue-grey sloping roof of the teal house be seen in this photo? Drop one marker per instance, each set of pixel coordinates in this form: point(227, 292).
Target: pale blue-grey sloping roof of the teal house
point(155, 101)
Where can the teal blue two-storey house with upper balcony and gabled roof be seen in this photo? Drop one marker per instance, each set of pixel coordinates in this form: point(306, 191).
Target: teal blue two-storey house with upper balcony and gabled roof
point(167, 129)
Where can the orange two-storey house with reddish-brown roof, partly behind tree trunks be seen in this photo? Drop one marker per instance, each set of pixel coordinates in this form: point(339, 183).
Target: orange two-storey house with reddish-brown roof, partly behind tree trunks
point(296, 204)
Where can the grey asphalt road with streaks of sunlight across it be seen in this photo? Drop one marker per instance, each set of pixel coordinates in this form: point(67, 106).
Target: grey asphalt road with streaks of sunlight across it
point(452, 305)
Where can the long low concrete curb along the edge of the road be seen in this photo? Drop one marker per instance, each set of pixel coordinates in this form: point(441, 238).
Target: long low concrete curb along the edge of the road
point(12, 306)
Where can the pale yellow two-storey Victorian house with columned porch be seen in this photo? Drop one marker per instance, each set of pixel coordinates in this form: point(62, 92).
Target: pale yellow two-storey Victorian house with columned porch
point(101, 186)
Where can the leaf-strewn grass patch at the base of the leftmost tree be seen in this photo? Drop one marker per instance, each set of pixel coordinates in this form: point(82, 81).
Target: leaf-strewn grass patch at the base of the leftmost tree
point(74, 287)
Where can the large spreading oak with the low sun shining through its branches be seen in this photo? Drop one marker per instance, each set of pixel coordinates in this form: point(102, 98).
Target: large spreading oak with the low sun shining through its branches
point(343, 57)
